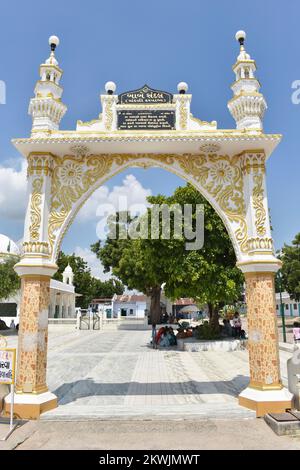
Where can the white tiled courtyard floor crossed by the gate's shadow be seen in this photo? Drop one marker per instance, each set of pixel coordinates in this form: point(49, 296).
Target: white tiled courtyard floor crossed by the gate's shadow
point(115, 374)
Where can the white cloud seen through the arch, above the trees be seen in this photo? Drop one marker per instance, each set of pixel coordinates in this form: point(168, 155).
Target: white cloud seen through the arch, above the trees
point(132, 191)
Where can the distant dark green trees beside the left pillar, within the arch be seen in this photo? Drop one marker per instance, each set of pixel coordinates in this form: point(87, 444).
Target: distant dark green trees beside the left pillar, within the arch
point(85, 284)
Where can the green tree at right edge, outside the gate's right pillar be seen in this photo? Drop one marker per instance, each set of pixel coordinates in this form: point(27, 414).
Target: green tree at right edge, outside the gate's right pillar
point(290, 257)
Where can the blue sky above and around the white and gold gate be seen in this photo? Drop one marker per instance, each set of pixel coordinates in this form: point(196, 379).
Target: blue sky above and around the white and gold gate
point(160, 43)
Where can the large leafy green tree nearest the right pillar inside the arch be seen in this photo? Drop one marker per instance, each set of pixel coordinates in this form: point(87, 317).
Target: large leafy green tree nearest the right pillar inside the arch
point(209, 275)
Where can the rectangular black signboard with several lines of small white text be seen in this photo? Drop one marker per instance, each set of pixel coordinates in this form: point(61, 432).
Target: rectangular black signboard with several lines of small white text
point(146, 119)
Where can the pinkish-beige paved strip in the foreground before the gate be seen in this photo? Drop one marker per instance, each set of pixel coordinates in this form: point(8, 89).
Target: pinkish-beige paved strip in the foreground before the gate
point(151, 435)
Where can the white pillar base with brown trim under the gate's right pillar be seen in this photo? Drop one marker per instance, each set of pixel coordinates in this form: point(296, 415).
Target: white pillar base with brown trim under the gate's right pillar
point(266, 401)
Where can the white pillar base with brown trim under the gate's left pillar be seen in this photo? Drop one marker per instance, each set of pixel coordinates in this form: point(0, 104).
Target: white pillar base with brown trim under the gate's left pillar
point(30, 405)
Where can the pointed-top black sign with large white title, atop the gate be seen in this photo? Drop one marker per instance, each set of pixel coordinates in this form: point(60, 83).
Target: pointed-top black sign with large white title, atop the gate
point(145, 95)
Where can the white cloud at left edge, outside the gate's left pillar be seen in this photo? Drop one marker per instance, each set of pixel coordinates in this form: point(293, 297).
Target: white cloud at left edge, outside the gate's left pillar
point(13, 187)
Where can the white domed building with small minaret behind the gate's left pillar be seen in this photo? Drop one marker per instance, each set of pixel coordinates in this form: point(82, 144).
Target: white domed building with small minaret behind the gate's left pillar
point(62, 294)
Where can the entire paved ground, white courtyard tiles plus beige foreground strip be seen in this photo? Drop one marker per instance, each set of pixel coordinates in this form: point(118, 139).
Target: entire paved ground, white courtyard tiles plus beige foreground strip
point(110, 382)
